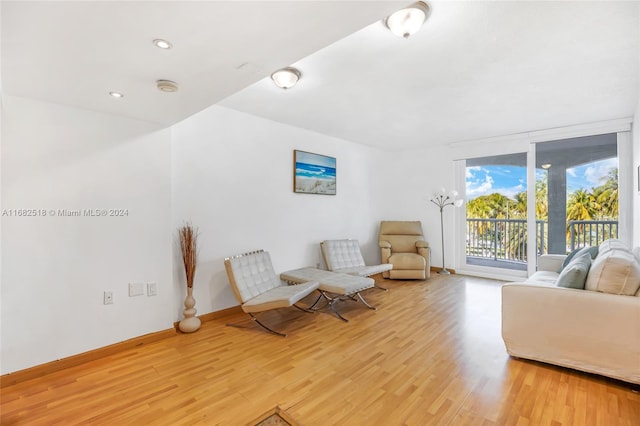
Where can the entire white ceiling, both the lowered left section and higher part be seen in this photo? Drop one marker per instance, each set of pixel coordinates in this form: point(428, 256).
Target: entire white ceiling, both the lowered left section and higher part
point(476, 69)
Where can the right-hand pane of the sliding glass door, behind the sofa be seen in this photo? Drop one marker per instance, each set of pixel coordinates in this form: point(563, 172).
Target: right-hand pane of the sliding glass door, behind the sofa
point(580, 177)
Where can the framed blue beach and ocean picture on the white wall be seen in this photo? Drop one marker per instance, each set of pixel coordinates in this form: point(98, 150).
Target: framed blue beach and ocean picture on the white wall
point(313, 173)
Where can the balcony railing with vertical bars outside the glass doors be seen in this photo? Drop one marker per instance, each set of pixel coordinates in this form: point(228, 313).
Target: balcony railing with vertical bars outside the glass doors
point(506, 239)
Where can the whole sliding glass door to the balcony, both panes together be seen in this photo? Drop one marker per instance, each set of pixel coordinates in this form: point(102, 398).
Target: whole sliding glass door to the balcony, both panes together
point(574, 185)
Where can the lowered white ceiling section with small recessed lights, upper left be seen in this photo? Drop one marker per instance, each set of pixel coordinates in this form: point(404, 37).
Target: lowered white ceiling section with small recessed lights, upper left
point(76, 52)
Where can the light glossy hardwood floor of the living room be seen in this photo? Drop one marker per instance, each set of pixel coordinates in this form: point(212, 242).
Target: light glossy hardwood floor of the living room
point(431, 354)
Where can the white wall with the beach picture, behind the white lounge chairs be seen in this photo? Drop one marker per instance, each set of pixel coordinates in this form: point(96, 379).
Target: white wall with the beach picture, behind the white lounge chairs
point(233, 179)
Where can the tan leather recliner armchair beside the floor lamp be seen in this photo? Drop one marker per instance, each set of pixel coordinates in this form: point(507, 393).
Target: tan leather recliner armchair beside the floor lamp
point(402, 244)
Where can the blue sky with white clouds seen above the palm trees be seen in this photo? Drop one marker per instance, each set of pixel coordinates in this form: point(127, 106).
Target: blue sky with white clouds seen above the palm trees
point(509, 180)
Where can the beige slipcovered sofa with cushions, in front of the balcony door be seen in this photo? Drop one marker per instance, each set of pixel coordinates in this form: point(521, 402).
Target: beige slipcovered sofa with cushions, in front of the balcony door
point(596, 329)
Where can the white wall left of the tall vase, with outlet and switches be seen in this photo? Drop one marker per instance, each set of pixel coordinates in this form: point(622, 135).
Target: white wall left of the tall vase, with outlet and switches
point(55, 269)
